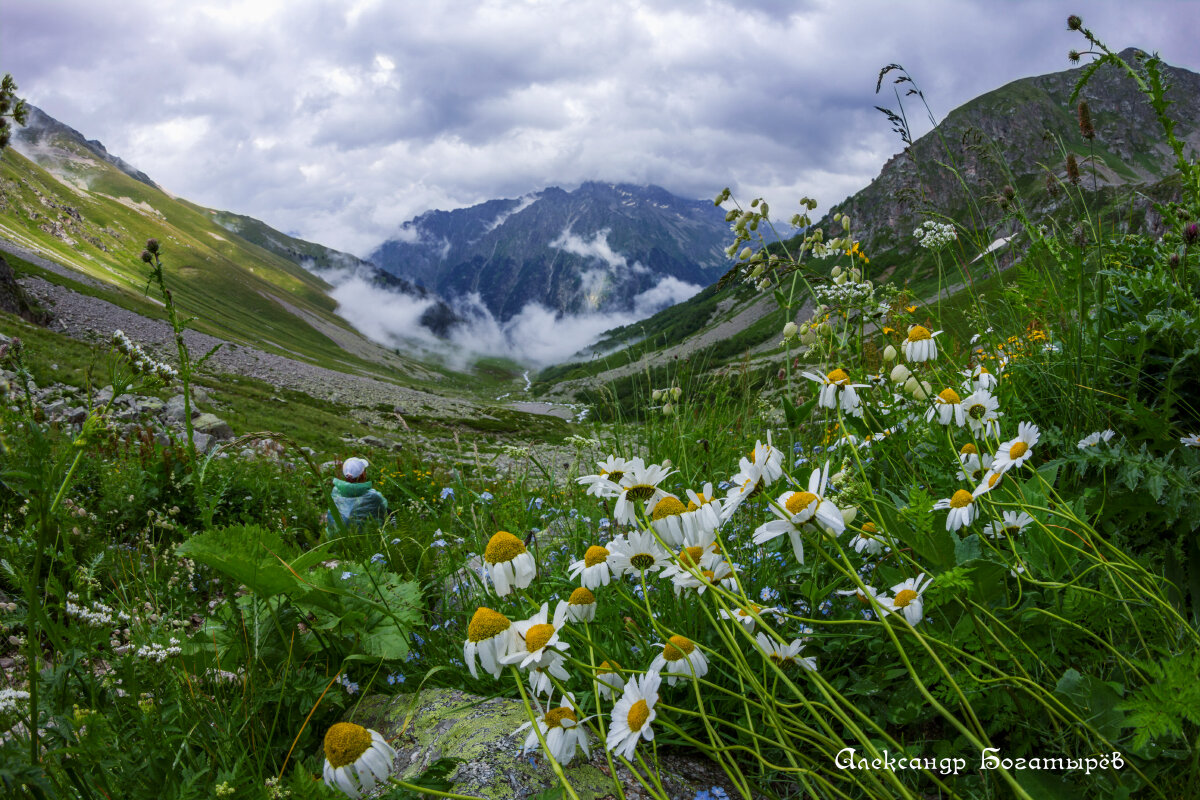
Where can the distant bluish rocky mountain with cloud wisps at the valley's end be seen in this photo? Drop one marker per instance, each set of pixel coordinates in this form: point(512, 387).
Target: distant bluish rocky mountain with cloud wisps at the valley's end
point(601, 248)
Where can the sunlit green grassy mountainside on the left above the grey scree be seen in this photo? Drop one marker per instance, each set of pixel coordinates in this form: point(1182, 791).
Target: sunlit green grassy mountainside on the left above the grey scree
point(68, 200)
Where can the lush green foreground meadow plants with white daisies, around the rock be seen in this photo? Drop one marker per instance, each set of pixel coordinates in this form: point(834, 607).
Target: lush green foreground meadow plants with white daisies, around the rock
point(934, 549)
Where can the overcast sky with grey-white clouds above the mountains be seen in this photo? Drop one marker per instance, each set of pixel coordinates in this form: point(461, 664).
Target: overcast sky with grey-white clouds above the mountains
point(339, 121)
